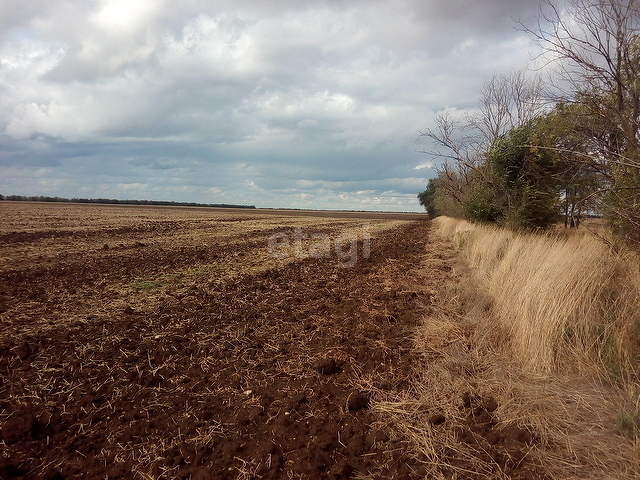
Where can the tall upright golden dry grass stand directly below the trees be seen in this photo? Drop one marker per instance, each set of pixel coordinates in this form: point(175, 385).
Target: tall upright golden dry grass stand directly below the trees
point(560, 298)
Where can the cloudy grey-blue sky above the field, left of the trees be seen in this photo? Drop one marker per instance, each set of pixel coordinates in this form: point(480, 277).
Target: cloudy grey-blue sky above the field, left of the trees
point(272, 103)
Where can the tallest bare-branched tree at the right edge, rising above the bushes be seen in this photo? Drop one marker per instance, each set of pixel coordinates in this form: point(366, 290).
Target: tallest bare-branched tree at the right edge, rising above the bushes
point(596, 44)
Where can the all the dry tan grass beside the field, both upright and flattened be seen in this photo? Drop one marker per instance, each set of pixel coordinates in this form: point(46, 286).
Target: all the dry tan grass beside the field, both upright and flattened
point(547, 326)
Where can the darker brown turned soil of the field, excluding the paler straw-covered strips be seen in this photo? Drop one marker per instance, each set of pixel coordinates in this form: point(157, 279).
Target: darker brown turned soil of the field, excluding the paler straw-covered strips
point(265, 375)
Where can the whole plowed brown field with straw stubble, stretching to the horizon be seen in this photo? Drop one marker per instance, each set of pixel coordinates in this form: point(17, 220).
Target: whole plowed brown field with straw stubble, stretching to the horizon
point(146, 342)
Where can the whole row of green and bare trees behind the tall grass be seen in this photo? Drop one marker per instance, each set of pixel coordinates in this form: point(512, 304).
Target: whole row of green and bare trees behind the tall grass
point(538, 152)
